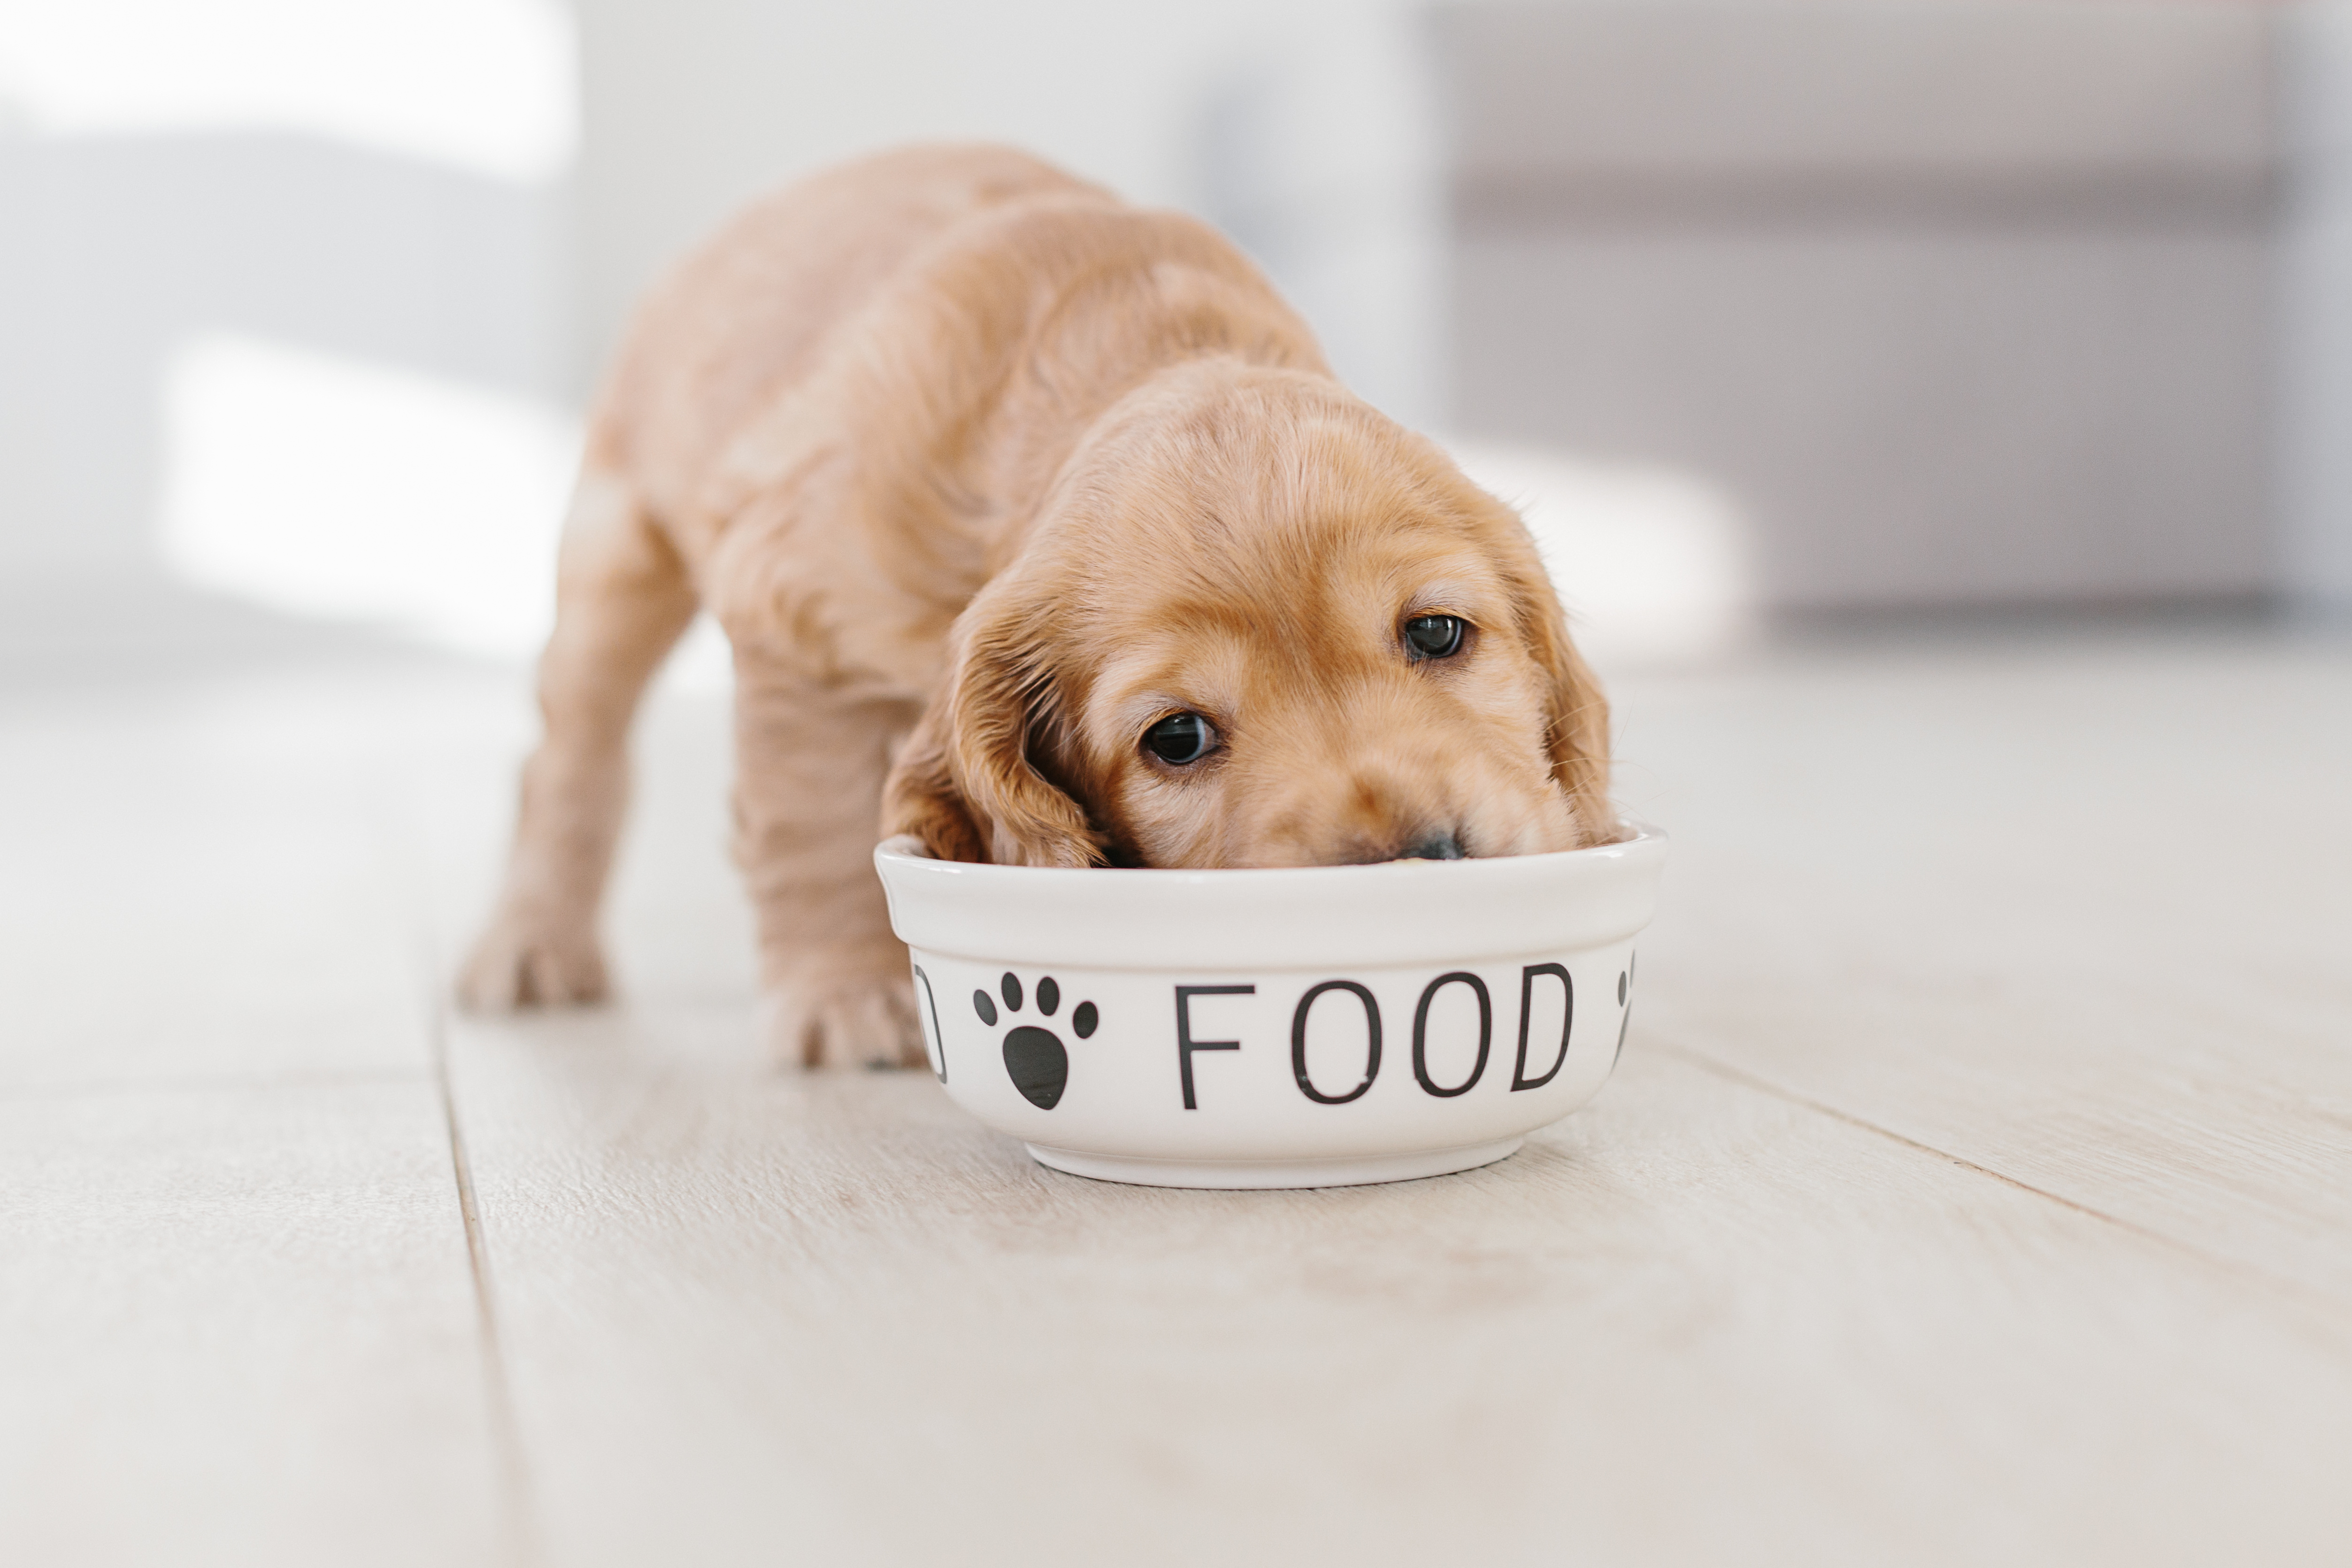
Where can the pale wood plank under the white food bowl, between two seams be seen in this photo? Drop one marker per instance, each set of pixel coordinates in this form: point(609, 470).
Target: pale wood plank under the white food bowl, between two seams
point(763, 1318)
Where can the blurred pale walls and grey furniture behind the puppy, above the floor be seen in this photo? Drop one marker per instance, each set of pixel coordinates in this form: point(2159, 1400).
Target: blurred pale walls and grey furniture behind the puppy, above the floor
point(1772, 309)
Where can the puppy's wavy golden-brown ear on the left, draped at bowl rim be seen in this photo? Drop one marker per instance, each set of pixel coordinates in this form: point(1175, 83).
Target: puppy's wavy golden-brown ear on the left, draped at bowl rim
point(968, 782)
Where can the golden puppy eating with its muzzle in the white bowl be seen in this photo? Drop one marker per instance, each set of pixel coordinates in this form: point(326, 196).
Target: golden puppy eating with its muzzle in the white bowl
point(1041, 532)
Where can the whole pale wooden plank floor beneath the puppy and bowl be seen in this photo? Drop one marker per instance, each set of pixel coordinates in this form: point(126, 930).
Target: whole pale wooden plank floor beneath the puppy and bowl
point(1977, 1184)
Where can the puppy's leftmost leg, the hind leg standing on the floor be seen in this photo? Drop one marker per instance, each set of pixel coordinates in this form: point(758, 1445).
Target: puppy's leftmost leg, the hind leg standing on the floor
point(622, 601)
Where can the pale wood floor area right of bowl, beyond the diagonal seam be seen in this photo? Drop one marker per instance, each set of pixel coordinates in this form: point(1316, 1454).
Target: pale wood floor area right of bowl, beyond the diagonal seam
point(2080, 913)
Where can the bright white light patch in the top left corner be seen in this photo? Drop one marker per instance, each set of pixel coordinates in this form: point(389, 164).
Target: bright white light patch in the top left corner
point(486, 86)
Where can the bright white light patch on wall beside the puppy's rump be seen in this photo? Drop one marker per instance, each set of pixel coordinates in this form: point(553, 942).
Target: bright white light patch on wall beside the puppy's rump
point(342, 490)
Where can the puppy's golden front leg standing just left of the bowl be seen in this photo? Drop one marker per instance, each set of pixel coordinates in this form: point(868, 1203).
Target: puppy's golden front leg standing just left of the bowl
point(810, 763)
